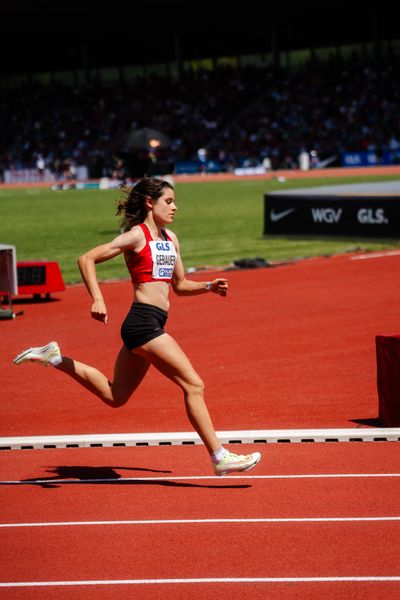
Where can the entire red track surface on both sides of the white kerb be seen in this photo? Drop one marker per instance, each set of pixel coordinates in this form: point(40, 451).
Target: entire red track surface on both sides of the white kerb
point(292, 346)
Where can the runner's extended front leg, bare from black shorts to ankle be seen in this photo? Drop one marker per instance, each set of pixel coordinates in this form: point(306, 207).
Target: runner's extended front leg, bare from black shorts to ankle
point(168, 357)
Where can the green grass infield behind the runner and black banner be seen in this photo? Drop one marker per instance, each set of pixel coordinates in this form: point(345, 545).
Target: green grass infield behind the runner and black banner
point(217, 223)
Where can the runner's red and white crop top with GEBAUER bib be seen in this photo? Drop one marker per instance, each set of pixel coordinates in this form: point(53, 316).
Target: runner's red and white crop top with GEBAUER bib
point(155, 262)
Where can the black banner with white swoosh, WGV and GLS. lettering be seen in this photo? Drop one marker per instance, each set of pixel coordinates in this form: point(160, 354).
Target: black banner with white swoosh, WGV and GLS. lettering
point(347, 215)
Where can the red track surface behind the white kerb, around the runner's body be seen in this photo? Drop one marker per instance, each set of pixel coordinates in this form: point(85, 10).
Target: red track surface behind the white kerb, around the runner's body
point(290, 347)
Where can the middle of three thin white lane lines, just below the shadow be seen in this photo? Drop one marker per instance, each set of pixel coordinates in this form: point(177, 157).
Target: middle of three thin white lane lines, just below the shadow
point(203, 521)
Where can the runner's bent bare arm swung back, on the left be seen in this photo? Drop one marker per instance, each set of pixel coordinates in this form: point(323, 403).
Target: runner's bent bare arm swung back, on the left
point(87, 266)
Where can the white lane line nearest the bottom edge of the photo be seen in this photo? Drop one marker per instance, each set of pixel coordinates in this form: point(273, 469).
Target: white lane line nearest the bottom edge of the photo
point(203, 580)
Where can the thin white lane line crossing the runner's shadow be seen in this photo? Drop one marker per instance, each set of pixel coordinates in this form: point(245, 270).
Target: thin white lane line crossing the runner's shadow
point(171, 479)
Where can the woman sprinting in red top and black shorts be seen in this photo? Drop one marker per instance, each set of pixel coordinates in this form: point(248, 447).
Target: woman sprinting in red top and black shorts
point(153, 259)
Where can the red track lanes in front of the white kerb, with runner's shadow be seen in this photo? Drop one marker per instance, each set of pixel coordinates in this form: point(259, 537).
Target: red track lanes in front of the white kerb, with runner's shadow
point(292, 551)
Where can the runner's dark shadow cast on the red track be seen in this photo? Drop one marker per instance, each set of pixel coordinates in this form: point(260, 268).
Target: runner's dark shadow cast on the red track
point(78, 475)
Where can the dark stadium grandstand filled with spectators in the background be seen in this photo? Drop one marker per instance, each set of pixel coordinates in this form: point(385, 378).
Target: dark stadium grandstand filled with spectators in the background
point(249, 89)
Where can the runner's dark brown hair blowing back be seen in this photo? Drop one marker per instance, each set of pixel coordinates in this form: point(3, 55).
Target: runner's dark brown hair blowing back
point(132, 205)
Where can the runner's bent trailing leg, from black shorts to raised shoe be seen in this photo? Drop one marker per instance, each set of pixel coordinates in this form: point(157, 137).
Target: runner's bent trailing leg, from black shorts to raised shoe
point(129, 371)
